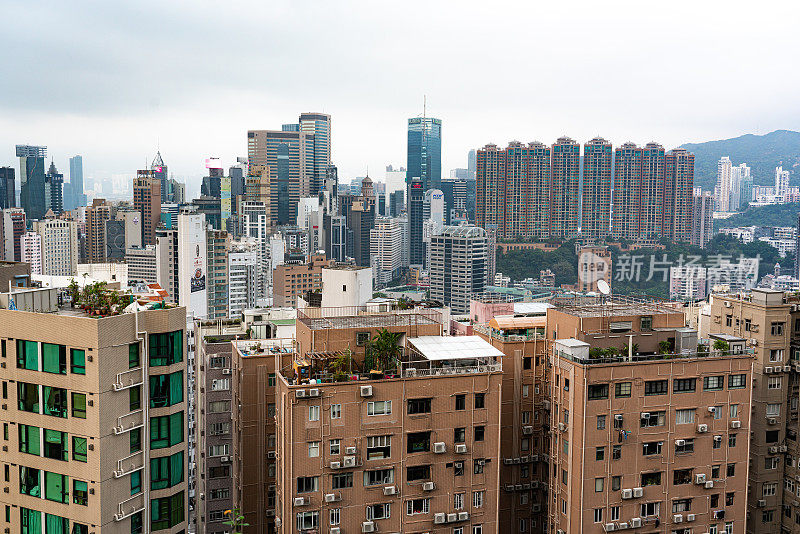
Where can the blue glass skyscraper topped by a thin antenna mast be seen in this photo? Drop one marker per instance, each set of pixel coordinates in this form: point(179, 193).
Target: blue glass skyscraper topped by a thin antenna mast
point(425, 151)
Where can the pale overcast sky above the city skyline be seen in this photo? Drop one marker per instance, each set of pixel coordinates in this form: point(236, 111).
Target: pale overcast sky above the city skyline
point(114, 80)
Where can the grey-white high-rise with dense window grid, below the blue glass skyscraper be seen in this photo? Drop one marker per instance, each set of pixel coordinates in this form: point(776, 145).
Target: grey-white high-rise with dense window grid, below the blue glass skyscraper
point(458, 270)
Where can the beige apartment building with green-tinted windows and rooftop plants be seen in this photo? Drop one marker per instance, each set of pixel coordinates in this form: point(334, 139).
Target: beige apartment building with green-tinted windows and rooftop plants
point(96, 420)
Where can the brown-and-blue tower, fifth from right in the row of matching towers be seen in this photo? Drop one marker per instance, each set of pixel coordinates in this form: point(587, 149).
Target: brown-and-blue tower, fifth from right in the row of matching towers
point(565, 172)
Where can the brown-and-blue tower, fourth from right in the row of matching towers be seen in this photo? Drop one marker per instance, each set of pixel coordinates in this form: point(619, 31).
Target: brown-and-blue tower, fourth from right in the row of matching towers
point(596, 210)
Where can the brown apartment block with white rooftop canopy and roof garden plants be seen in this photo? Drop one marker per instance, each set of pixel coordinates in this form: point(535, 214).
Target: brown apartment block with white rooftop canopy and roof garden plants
point(411, 451)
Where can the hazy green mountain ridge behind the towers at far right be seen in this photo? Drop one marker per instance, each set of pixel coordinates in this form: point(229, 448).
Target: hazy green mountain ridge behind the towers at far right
point(761, 152)
